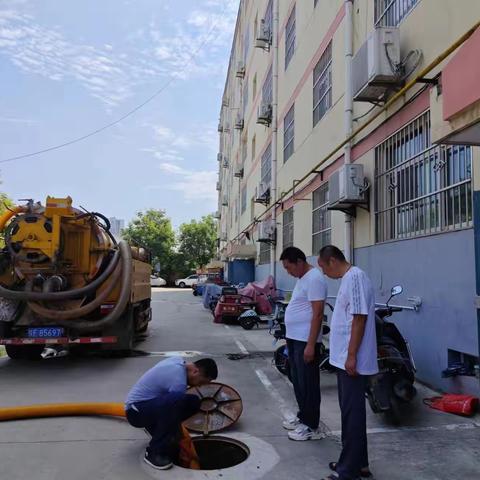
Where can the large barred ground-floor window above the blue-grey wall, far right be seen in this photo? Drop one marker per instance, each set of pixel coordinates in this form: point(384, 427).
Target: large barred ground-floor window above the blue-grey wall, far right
point(421, 189)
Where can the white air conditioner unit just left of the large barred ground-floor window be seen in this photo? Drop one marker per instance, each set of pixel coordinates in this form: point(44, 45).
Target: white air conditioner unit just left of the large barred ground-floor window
point(346, 186)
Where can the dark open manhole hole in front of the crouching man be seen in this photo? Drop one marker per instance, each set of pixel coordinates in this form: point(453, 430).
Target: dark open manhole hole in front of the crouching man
point(215, 452)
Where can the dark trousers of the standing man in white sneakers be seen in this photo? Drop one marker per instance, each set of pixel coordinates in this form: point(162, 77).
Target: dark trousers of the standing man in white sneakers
point(306, 382)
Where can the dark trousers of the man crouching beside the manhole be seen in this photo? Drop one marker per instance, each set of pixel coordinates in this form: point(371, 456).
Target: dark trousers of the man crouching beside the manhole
point(162, 418)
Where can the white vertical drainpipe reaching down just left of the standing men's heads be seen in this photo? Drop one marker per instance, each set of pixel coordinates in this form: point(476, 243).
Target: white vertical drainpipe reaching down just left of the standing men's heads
point(273, 250)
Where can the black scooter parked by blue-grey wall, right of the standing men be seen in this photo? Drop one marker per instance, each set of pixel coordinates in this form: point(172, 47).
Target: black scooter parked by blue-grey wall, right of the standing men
point(394, 384)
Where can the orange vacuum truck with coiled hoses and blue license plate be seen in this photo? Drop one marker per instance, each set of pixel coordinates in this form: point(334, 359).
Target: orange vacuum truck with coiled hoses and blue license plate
point(65, 280)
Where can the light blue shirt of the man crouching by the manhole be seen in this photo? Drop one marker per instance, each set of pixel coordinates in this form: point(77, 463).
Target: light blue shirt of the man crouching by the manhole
point(167, 376)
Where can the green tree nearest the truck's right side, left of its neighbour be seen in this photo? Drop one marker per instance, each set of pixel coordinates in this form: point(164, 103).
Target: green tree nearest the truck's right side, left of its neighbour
point(153, 230)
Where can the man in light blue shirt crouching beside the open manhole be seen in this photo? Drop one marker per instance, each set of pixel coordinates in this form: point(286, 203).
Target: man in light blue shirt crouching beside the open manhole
point(159, 404)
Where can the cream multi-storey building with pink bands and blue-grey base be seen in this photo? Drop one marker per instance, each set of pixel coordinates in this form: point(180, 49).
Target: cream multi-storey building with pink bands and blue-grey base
point(401, 195)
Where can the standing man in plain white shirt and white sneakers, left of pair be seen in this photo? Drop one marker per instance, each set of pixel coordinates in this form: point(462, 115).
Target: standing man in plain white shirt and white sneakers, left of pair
point(303, 321)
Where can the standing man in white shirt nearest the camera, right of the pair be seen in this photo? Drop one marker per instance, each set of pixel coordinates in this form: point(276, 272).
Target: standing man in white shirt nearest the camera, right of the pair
point(353, 350)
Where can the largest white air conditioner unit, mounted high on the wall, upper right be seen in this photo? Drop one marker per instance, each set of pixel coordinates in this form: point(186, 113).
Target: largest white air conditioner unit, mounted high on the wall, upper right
point(373, 66)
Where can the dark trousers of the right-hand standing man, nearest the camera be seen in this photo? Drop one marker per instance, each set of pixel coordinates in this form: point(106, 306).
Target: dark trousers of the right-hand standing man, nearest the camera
point(351, 396)
